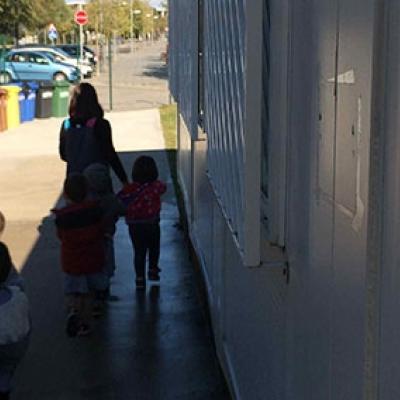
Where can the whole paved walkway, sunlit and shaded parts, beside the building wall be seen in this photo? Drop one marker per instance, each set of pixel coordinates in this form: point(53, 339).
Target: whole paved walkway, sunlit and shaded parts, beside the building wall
point(152, 345)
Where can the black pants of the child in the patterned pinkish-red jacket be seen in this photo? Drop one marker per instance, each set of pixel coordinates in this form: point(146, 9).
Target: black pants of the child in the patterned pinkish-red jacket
point(145, 239)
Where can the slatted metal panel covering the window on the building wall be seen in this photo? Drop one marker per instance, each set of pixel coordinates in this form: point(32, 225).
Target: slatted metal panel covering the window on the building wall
point(225, 94)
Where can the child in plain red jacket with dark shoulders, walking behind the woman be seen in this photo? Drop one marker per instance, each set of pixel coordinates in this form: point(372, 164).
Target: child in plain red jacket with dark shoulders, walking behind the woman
point(80, 229)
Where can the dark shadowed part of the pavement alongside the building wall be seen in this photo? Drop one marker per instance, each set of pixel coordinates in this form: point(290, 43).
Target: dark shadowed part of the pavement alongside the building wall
point(149, 345)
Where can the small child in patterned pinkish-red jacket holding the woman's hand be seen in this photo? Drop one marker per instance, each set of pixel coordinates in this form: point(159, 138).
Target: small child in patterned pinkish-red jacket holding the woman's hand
point(142, 199)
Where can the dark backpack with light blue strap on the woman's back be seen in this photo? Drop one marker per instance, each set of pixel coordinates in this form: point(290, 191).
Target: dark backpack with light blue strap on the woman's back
point(82, 147)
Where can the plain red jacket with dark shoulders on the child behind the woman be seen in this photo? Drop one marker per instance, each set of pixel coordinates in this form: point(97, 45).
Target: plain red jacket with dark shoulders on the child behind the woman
point(81, 231)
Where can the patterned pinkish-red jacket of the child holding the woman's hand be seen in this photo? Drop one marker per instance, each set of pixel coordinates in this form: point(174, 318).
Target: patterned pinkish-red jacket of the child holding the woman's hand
point(143, 201)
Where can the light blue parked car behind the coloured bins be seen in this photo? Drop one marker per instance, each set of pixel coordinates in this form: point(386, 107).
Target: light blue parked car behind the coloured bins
point(28, 65)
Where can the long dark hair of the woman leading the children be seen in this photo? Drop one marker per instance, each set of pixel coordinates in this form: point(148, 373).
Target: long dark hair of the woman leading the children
point(84, 103)
